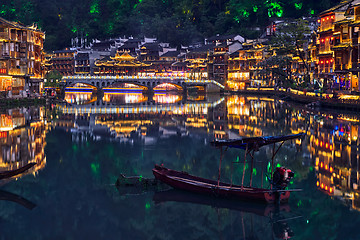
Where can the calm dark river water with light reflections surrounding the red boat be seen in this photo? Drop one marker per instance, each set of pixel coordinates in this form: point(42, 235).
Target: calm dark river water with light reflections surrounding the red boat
point(84, 144)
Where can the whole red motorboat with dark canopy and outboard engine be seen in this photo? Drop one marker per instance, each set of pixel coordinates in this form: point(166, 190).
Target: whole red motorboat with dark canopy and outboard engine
point(277, 193)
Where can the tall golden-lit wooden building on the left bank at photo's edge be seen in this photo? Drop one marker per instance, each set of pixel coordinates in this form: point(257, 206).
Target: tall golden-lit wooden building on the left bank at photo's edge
point(21, 57)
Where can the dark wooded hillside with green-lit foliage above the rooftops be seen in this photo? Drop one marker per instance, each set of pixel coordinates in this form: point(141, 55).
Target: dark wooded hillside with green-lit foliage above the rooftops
point(177, 22)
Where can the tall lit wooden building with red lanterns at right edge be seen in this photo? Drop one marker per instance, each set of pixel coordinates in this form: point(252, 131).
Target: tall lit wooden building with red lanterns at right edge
point(338, 42)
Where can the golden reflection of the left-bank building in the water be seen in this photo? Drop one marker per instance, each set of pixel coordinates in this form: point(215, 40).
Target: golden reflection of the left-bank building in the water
point(21, 141)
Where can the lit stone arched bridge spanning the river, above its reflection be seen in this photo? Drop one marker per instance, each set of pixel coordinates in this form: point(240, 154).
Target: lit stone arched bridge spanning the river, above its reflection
point(149, 83)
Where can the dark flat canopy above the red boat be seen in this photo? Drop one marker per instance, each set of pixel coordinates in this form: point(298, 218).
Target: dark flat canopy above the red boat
point(253, 143)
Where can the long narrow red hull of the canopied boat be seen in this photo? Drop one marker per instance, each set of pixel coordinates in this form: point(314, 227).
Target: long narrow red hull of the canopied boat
point(184, 181)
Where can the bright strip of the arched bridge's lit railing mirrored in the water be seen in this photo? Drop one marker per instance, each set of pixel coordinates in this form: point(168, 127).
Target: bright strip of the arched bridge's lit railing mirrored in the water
point(100, 107)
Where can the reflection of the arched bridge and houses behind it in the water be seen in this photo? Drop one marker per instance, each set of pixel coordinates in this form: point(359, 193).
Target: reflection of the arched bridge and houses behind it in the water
point(133, 117)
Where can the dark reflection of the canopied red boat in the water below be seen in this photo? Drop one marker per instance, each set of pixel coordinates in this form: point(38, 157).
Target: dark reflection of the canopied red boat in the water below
point(274, 218)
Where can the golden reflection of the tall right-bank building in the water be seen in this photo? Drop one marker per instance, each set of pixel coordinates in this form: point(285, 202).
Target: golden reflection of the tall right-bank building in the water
point(334, 145)
